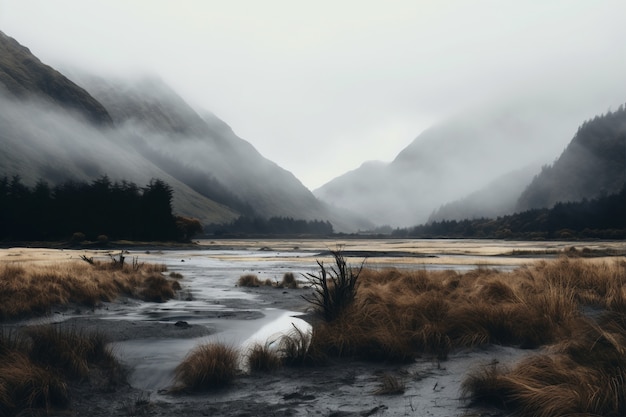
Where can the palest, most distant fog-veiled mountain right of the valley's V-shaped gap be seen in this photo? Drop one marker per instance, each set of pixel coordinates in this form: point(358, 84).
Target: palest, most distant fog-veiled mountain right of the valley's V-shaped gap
point(447, 162)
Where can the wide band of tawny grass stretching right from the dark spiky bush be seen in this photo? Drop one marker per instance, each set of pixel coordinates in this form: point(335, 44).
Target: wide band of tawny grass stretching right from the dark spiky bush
point(399, 315)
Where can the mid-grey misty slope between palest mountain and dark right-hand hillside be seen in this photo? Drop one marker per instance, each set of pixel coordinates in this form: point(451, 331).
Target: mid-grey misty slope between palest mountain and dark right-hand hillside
point(498, 198)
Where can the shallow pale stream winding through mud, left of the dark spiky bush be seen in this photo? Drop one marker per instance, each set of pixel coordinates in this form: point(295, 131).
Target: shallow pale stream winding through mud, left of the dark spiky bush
point(209, 281)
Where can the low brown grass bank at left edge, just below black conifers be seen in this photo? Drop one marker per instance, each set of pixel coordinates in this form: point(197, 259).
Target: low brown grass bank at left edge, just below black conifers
point(34, 289)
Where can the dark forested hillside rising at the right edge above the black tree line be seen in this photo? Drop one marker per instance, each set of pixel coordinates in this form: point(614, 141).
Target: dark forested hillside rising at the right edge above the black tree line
point(592, 165)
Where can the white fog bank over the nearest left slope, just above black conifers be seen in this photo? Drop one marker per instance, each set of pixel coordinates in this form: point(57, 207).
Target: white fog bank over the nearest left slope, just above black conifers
point(43, 141)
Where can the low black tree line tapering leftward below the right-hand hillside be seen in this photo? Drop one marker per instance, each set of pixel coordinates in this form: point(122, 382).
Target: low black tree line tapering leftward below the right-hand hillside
point(600, 218)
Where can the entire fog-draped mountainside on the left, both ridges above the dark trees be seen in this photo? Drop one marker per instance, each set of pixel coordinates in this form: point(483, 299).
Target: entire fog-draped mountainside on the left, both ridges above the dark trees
point(136, 130)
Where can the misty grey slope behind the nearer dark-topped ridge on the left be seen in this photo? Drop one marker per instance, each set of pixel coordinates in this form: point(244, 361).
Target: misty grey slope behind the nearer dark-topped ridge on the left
point(205, 153)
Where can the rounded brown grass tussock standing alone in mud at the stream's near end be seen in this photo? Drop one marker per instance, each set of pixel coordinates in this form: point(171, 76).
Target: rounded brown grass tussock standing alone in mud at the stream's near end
point(207, 367)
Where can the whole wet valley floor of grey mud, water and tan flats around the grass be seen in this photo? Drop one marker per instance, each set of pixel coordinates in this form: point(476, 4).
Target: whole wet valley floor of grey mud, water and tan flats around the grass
point(150, 340)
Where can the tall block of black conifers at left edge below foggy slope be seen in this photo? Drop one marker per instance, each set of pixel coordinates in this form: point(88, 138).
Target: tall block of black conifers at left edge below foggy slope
point(98, 210)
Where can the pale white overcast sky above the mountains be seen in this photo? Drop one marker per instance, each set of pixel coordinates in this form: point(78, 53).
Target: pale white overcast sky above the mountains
point(321, 86)
